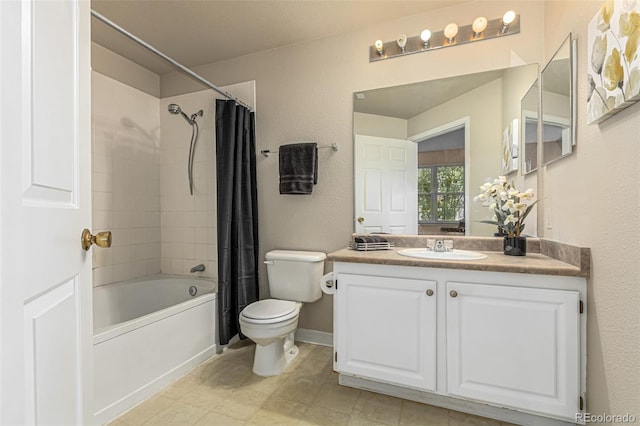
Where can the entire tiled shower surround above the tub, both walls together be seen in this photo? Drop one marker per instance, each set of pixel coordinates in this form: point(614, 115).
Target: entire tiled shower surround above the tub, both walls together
point(140, 184)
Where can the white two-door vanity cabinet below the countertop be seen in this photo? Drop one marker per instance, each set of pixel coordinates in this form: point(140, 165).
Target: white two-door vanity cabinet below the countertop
point(512, 341)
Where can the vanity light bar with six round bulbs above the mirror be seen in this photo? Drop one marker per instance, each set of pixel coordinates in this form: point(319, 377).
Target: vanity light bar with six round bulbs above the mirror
point(452, 35)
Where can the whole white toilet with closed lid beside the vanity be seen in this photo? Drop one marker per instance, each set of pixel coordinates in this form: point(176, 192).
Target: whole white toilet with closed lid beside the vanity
point(294, 279)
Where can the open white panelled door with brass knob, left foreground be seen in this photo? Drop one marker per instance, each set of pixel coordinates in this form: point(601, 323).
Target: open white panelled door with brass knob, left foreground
point(45, 281)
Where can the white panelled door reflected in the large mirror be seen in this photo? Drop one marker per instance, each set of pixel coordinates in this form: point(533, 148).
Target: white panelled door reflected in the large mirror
point(386, 180)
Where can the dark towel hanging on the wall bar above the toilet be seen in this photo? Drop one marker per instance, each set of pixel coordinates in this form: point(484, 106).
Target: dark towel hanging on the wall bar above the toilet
point(298, 167)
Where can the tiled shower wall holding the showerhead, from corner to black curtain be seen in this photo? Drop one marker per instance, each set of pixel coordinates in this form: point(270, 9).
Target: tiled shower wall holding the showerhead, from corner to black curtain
point(188, 222)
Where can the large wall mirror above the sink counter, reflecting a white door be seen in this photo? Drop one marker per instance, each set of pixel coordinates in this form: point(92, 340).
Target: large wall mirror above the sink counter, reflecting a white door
point(422, 150)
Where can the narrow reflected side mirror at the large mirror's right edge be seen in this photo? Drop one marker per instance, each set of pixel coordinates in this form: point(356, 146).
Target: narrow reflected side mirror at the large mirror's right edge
point(529, 110)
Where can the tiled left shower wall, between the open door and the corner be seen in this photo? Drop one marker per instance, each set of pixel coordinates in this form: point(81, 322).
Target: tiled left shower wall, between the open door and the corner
point(125, 180)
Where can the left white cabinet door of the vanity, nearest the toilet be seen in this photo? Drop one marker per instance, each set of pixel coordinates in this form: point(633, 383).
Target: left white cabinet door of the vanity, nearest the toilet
point(386, 329)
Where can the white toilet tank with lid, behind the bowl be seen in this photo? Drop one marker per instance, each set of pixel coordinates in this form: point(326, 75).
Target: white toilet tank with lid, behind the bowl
point(295, 275)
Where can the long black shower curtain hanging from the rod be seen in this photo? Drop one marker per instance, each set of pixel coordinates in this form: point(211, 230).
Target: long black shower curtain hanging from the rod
point(237, 214)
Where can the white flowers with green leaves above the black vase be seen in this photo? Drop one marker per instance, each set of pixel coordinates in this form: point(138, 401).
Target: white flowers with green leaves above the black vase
point(506, 203)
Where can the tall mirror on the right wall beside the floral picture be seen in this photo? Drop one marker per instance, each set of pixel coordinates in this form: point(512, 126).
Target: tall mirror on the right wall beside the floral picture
point(558, 103)
